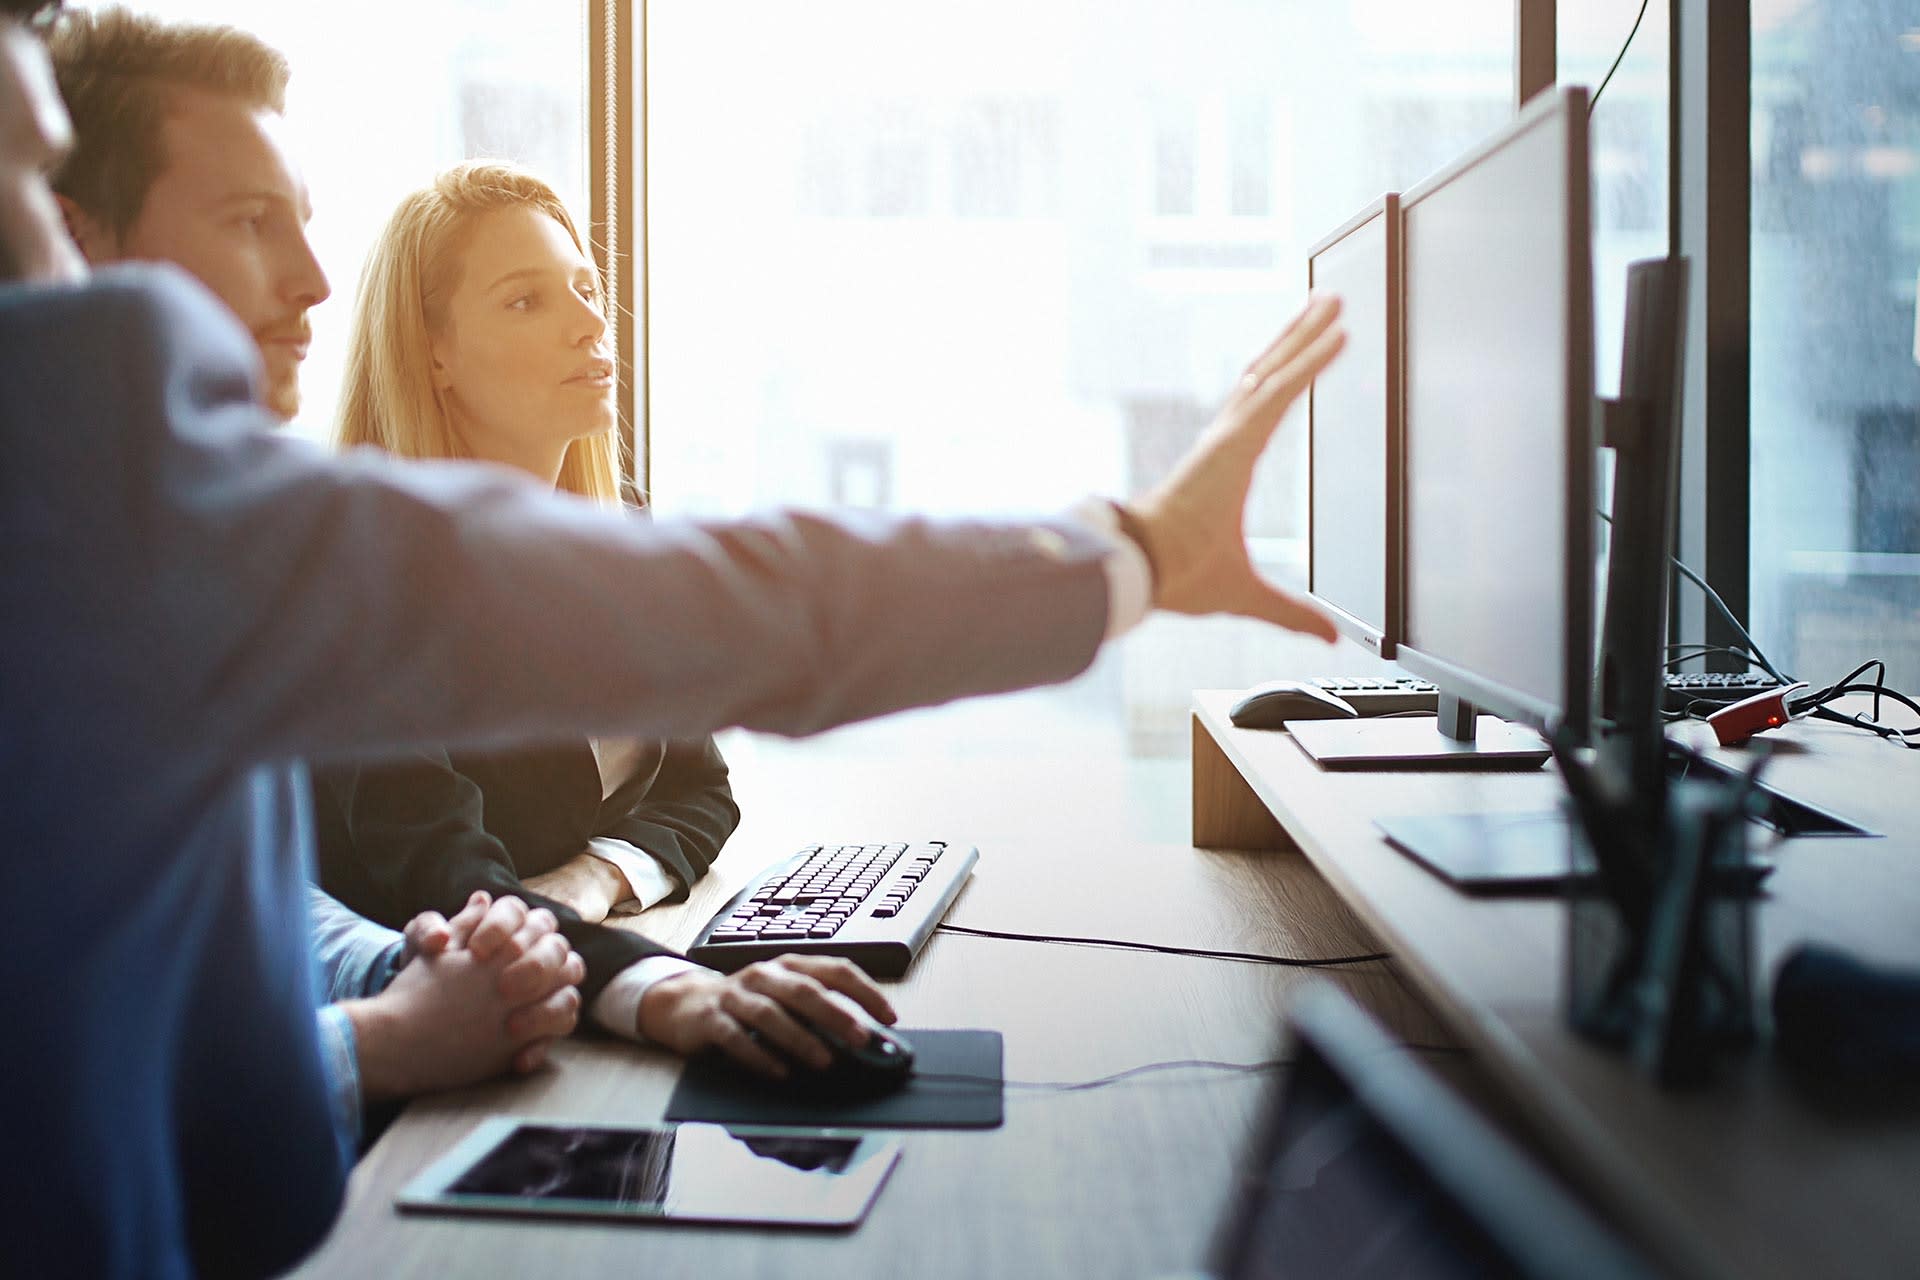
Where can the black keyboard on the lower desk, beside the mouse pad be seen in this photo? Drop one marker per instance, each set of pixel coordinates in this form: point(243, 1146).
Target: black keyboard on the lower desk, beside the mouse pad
point(875, 905)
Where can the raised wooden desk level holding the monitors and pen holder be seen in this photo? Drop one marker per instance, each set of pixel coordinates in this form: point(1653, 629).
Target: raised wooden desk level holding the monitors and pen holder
point(1744, 1179)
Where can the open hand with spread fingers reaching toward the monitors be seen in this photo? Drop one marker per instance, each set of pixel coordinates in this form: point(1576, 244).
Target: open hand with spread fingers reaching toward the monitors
point(1193, 525)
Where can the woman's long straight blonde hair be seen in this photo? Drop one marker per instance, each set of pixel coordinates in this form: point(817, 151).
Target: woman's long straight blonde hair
point(389, 398)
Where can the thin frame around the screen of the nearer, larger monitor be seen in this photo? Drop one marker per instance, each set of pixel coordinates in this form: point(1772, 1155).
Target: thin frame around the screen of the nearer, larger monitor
point(1568, 108)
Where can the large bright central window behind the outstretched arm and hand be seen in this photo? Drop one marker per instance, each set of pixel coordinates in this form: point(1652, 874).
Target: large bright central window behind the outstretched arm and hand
point(986, 258)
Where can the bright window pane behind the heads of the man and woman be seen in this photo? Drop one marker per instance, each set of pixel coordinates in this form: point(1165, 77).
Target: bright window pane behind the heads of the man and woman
point(385, 97)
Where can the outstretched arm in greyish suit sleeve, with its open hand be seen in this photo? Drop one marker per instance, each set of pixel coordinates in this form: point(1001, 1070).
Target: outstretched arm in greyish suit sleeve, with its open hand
point(350, 605)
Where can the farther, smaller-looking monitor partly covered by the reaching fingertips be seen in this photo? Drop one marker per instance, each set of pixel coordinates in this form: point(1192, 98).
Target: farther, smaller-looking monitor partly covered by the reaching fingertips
point(1355, 433)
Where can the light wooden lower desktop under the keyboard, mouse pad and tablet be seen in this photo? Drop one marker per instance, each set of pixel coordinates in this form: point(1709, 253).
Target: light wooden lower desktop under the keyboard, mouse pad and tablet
point(1124, 1181)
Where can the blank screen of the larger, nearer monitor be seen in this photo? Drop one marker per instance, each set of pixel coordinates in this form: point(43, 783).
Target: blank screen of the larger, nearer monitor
point(1499, 421)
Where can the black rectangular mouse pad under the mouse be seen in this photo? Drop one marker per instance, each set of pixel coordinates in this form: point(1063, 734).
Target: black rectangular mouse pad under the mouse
point(721, 1093)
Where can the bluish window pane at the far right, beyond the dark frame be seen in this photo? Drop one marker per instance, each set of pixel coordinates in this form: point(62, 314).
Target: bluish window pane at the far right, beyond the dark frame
point(1836, 392)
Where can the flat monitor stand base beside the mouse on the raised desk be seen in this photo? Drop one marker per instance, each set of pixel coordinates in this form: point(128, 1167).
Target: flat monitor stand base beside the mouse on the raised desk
point(1454, 740)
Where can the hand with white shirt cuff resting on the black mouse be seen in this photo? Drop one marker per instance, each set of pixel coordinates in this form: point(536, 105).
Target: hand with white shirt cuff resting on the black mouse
point(736, 1012)
